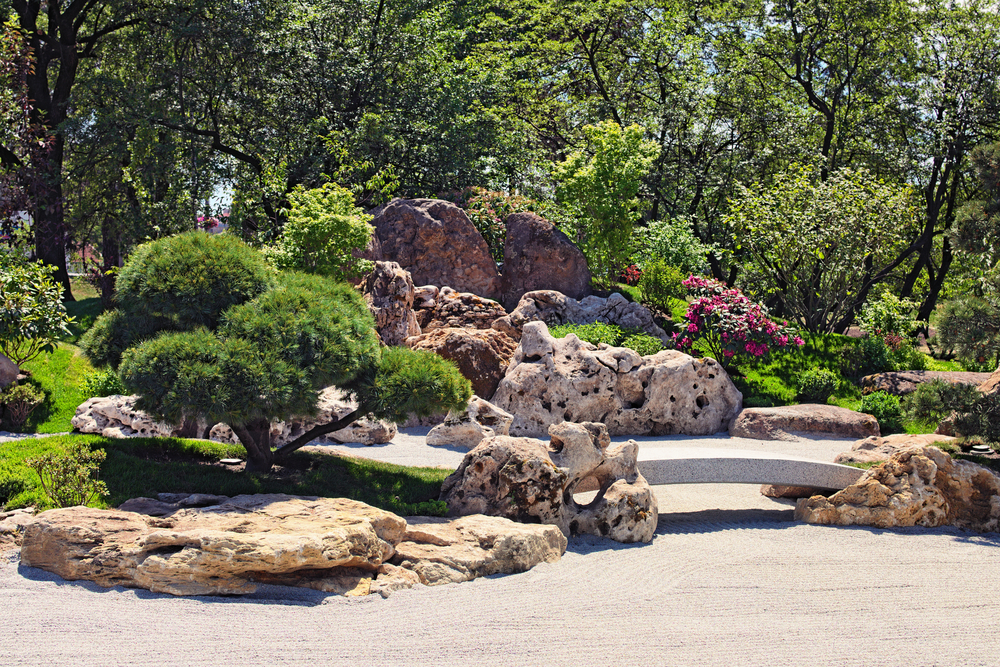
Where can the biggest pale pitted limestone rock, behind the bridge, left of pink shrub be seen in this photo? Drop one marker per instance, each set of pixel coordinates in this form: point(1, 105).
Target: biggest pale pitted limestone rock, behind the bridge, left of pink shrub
point(551, 380)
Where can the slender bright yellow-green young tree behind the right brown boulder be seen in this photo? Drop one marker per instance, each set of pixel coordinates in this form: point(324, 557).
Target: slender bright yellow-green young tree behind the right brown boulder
point(602, 184)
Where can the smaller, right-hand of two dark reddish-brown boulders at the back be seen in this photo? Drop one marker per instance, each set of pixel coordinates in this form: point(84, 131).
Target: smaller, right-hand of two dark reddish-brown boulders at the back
point(537, 256)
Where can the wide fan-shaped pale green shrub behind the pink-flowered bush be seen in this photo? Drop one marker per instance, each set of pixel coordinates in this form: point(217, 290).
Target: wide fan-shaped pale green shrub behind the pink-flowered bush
point(819, 246)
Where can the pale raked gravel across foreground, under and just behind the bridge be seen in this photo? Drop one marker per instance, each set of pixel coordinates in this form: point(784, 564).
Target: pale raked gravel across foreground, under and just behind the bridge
point(729, 579)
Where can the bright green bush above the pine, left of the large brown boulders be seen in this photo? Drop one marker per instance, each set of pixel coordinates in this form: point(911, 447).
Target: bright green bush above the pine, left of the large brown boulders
point(323, 229)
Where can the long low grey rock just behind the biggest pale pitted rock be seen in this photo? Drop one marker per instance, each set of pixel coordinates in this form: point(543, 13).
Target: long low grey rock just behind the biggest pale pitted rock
point(554, 307)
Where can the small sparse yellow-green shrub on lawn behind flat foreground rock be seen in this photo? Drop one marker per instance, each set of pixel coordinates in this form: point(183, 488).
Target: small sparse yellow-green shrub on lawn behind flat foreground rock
point(71, 478)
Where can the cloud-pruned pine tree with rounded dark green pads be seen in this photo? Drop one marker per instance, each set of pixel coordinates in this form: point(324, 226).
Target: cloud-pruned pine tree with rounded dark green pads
point(206, 329)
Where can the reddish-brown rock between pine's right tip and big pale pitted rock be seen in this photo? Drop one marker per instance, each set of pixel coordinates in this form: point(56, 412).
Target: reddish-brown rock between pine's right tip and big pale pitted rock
point(482, 355)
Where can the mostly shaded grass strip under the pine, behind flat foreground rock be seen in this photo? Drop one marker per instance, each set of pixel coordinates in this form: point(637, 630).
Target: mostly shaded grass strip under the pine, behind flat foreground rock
point(144, 467)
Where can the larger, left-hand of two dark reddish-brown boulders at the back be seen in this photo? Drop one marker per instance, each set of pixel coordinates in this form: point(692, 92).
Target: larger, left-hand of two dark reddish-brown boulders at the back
point(435, 241)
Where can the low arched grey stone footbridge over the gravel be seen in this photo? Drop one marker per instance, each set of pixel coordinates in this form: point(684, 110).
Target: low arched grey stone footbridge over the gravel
point(702, 465)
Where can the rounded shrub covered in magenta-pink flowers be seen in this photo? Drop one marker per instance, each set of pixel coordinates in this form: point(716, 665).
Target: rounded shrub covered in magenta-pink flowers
point(733, 327)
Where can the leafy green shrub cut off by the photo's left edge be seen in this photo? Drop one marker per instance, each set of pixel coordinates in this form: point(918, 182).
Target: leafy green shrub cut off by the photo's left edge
point(32, 316)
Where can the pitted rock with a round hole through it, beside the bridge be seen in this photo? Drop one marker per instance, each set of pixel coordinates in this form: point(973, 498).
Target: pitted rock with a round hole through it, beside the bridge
point(532, 481)
